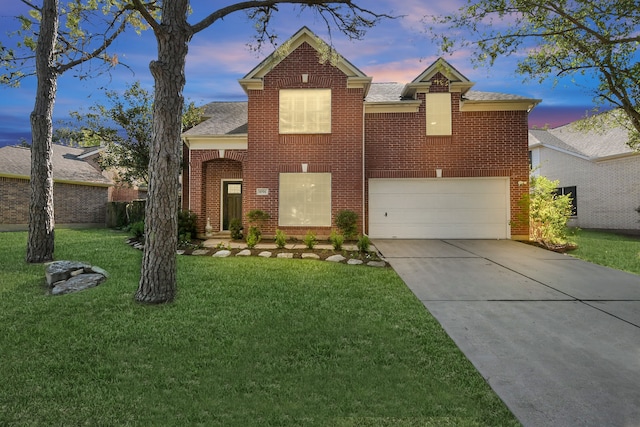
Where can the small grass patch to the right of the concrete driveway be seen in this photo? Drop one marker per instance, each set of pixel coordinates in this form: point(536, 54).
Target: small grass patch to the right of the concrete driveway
point(612, 250)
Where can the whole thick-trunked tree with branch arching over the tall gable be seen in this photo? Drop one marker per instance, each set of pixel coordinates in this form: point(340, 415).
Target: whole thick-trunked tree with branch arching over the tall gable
point(173, 34)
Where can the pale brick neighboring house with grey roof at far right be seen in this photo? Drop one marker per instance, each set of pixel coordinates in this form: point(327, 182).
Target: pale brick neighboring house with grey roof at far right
point(598, 169)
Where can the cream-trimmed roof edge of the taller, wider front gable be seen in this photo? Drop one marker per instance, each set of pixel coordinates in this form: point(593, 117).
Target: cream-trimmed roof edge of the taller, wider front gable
point(253, 80)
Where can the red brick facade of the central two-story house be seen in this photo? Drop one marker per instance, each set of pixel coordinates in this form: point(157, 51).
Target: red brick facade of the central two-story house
point(360, 146)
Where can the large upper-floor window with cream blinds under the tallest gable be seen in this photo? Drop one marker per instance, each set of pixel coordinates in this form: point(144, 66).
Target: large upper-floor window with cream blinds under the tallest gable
point(305, 111)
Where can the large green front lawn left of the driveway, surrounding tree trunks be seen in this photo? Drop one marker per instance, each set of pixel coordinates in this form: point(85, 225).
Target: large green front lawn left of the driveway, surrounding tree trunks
point(248, 342)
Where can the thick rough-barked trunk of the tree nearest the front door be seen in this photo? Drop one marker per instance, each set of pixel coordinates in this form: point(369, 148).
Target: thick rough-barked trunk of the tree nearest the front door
point(158, 279)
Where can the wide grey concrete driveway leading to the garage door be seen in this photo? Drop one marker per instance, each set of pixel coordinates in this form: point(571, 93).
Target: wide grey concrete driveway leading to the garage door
point(557, 338)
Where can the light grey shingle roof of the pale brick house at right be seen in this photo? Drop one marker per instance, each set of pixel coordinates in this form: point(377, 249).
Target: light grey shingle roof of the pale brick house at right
point(595, 145)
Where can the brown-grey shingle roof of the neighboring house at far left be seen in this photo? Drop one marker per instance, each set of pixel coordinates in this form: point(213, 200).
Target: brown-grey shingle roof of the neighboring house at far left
point(16, 161)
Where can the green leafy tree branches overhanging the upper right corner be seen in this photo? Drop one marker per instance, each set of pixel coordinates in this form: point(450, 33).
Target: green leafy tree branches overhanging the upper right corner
point(595, 38)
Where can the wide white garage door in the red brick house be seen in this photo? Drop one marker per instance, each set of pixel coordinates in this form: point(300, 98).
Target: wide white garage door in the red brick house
point(439, 208)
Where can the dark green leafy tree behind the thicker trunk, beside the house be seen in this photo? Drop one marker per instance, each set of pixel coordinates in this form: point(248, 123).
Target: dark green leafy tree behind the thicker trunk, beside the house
point(121, 126)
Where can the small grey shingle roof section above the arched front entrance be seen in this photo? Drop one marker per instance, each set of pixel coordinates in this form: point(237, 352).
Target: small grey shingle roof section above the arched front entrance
point(225, 118)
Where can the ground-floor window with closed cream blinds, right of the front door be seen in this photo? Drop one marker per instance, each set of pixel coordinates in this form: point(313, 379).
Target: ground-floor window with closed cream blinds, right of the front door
point(305, 199)
